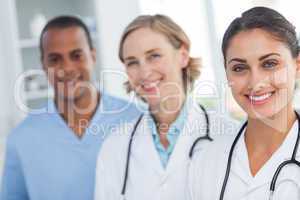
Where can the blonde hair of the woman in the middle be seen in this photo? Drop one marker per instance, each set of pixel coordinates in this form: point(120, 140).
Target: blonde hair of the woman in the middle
point(174, 33)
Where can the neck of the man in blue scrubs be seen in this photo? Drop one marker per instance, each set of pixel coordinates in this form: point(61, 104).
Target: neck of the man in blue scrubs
point(80, 110)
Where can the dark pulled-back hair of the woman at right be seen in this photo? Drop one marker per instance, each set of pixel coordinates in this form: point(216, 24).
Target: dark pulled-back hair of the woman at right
point(267, 19)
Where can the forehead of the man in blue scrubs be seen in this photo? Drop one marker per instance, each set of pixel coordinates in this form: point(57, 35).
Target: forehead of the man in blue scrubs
point(60, 39)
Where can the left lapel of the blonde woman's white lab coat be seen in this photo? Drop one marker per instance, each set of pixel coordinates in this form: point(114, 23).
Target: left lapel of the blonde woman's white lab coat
point(143, 149)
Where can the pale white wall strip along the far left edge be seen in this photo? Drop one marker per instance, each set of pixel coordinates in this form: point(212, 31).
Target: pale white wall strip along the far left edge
point(9, 62)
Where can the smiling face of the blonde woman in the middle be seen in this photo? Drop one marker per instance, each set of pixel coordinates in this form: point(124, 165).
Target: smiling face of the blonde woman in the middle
point(154, 67)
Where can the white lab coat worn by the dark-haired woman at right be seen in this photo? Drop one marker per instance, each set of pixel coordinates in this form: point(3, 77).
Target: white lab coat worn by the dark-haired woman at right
point(207, 172)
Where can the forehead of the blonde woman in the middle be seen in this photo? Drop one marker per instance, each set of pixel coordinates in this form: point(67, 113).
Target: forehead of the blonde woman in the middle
point(143, 40)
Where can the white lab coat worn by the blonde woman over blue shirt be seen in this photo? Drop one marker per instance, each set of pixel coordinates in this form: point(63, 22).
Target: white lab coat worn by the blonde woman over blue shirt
point(147, 179)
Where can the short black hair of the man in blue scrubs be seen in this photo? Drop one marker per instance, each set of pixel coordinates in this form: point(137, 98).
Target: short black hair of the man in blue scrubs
point(65, 21)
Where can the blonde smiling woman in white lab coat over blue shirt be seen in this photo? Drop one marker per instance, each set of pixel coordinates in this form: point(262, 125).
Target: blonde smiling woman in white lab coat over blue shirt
point(153, 165)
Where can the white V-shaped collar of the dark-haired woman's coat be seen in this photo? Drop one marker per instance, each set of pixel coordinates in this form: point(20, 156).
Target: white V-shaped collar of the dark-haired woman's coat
point(240, 163)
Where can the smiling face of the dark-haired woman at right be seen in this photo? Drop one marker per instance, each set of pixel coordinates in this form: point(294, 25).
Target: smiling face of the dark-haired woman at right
point(261, 72)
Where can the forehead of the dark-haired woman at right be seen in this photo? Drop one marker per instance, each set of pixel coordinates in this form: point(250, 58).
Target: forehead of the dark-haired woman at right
point(253, 43)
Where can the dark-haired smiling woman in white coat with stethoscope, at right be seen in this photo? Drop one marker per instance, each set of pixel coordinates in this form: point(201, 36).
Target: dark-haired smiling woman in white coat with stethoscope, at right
point(262, 63)
